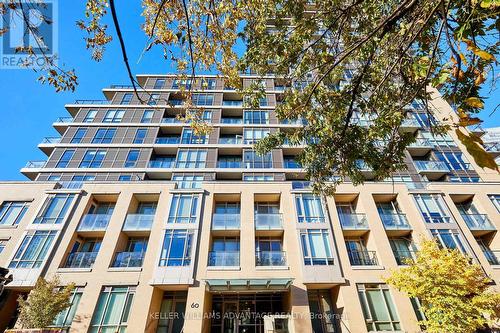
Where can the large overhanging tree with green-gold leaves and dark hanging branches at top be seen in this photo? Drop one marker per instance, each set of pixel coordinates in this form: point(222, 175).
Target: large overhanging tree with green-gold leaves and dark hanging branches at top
point(340, 61)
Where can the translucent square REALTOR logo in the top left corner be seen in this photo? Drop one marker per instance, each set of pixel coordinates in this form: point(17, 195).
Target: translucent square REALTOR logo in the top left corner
point(29, 34)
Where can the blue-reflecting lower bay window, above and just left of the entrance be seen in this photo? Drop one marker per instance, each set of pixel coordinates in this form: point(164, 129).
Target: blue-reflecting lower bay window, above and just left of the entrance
point(176, 249)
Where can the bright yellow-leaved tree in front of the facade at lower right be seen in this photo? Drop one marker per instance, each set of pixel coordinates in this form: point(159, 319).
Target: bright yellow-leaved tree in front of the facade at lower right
point(455, 295)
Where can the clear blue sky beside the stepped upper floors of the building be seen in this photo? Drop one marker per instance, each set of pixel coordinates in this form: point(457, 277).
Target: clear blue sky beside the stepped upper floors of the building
point(28, 108)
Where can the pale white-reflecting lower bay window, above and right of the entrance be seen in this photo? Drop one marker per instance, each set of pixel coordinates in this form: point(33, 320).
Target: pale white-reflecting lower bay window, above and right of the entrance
point(316, 247)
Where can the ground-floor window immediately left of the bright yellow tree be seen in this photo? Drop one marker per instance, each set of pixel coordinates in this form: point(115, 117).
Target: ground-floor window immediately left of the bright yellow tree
point(378, 308)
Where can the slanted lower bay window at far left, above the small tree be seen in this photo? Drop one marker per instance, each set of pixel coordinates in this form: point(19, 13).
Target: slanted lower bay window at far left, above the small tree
point(33, 249)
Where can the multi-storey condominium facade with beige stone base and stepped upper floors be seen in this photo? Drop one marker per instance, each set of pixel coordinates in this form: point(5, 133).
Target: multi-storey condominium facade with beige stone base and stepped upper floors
point(165, 231)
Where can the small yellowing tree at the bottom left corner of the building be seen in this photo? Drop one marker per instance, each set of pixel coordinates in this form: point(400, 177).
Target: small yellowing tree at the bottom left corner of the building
point(45, 301)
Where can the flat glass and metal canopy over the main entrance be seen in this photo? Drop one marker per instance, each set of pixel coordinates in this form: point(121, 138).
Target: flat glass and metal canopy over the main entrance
point(248, 284)
